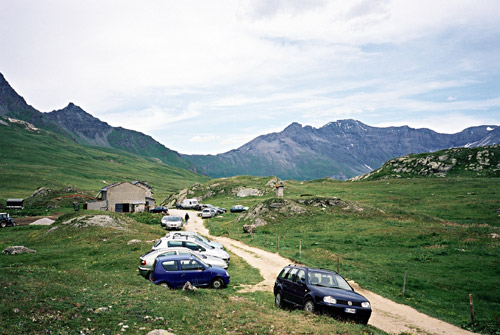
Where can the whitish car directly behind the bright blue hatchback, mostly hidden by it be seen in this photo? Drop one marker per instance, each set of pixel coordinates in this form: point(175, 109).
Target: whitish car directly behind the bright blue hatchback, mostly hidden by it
point(146, 261)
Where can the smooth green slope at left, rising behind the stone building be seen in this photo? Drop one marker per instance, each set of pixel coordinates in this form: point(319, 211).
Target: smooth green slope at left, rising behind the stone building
point(30, 159)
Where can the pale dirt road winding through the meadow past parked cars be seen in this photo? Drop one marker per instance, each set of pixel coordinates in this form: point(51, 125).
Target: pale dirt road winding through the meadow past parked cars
point(387, 315)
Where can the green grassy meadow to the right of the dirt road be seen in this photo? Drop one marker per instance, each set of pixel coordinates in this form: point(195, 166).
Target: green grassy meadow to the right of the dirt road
point(443, 232)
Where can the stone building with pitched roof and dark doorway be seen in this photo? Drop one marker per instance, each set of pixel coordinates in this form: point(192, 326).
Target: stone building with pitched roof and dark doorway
point(123, 197)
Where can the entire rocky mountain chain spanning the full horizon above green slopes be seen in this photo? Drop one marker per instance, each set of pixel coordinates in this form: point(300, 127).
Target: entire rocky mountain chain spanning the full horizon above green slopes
point(340, 150)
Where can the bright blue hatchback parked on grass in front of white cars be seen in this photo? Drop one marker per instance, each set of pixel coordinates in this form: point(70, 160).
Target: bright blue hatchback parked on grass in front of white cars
point(175, 270)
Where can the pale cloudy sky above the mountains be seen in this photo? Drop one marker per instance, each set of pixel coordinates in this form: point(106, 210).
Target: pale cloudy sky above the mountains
point(205, 77)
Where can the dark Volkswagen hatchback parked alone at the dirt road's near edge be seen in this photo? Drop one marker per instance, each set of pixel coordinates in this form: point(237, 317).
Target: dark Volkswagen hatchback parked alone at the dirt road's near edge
point(320, 290)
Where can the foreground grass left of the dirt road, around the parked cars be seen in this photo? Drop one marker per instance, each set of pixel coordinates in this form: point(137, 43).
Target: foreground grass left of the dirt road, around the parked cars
point(85, 281)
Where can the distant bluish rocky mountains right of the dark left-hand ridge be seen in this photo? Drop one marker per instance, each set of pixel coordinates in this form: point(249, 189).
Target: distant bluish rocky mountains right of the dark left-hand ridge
point(340, 150)
